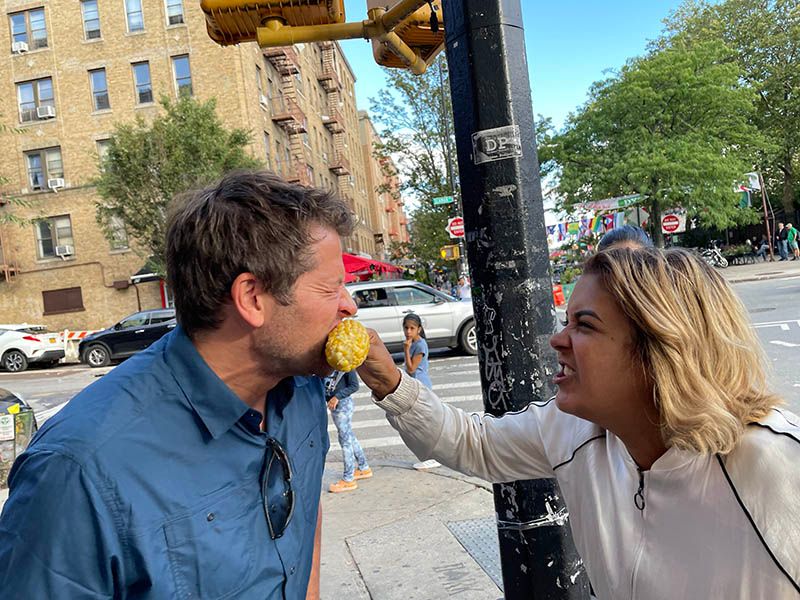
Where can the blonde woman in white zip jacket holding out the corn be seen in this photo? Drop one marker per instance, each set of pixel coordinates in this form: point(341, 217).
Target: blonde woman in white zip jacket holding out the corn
point(680, 471)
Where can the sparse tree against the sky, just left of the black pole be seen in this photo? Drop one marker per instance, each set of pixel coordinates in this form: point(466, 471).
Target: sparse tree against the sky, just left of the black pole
point(417, 119)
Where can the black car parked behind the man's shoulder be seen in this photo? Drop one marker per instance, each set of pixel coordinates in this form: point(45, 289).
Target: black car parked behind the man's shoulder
point(132, 334)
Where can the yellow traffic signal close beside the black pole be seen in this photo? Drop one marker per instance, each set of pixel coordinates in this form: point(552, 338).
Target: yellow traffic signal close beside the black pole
point(422, 31)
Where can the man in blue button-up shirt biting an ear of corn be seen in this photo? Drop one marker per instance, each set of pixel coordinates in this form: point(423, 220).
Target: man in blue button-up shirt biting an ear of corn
point(194, 469)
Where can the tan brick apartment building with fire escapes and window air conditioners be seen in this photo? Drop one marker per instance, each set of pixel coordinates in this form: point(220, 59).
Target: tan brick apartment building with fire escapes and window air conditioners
point(71, 69)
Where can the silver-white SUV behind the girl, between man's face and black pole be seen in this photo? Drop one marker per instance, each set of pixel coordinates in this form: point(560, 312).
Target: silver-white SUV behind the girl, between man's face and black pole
point(448, 322)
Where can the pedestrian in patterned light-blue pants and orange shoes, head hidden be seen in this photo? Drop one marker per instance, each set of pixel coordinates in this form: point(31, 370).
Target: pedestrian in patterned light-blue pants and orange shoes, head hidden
point(339, 397)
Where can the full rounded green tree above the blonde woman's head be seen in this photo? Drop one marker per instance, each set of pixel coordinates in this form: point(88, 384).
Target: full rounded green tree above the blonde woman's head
point(673, 126)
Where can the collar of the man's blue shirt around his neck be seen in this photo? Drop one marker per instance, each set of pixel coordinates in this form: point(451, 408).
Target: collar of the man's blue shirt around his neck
point(218, 407)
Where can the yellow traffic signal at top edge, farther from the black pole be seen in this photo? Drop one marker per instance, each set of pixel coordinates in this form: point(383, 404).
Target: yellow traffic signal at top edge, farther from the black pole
point(234, 21)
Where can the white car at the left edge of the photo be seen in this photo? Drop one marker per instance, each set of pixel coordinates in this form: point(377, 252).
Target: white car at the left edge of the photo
point(24, 344)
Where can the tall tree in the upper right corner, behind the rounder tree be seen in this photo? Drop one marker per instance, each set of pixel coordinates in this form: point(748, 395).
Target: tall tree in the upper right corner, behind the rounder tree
point(763, 37)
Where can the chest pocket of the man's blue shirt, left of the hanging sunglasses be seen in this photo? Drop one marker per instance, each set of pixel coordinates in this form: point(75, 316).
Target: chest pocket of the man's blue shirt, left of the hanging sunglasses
point(211, 550)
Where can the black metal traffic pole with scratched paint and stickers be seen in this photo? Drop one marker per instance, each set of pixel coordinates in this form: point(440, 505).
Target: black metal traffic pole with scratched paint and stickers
point(509, 265)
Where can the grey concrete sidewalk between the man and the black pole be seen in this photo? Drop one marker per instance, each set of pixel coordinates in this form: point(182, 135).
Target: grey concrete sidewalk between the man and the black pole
point(399, 536)
